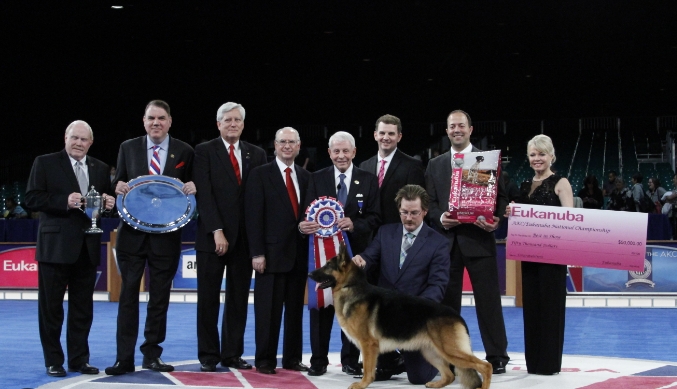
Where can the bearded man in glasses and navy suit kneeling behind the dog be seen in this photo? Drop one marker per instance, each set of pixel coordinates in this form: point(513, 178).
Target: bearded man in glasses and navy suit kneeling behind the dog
point(414, 259)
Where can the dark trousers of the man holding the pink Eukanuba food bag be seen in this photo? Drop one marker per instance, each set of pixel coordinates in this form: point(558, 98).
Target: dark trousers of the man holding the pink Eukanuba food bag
point(483, 273)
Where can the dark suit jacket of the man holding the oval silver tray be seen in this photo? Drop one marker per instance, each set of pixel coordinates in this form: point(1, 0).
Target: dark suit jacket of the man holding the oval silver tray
point(132, 163)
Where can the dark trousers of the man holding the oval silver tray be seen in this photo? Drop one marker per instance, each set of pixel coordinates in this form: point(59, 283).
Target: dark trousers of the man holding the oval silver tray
point(161, 273)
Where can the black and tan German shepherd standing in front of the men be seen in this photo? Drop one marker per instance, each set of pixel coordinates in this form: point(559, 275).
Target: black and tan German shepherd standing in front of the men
point(378, 320)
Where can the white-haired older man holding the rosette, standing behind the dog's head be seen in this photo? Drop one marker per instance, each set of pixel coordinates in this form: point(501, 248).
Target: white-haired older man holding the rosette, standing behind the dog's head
point(361, 216)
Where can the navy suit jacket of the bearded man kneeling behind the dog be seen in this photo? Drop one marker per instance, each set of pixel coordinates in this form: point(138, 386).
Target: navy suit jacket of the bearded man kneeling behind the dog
point(425, 272)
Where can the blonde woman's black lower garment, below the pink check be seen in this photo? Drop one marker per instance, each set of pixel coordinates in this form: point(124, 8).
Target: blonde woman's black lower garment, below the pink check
point(544, 298)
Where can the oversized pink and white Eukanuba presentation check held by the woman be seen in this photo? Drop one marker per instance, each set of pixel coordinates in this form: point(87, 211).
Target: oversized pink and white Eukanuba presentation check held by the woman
point(577, 236)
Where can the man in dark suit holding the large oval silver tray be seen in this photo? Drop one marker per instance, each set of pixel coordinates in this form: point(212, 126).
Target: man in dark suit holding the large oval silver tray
point(156, 153)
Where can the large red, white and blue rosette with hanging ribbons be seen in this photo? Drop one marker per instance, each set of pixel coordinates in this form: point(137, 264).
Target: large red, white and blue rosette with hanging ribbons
point(324, 244)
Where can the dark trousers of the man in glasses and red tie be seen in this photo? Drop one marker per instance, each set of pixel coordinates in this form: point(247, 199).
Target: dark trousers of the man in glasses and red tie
point(272, 291)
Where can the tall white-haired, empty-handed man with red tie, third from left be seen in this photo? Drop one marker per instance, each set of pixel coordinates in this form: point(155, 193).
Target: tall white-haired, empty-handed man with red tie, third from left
point(222, 168)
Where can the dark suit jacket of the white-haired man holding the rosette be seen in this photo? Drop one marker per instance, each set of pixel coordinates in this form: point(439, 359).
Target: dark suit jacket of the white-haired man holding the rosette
point(322, 183)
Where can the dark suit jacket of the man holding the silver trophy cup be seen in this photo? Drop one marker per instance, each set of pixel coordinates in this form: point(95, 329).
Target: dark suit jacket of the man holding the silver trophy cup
point(61, 231)
